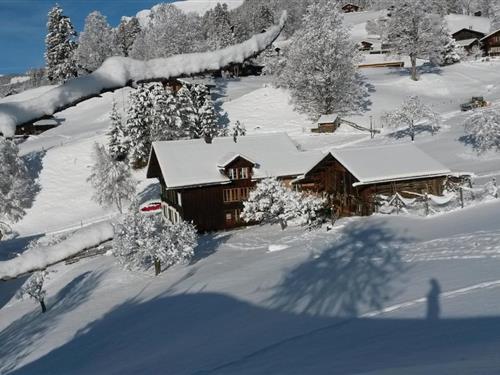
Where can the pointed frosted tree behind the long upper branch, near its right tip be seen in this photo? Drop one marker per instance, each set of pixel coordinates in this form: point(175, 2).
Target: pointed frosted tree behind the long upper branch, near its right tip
point(219, 31)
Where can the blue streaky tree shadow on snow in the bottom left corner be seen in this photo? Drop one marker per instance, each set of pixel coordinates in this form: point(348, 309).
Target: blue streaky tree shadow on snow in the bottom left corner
point(17, 339)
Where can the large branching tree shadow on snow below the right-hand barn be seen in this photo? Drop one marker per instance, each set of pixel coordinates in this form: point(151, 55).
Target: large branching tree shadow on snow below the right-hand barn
point(352, 274)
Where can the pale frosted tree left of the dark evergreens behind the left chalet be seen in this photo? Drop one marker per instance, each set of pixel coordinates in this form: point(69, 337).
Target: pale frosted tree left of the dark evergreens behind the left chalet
point(112, 181)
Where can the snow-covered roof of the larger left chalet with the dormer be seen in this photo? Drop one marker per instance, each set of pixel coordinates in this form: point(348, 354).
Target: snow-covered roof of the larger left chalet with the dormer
point(194, 162)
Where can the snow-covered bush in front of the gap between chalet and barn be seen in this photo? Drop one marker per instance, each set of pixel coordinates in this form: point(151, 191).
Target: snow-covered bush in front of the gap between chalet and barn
point(272, 202)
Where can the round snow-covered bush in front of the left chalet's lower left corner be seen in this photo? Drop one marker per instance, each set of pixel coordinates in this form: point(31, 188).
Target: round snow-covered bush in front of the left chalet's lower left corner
point(143, 241)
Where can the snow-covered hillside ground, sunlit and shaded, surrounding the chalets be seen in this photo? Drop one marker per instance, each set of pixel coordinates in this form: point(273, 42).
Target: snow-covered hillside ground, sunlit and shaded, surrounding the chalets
point(353, 299)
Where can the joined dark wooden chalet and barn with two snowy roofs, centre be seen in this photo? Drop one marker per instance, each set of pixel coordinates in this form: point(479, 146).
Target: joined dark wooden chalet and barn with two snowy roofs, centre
point(208, 183)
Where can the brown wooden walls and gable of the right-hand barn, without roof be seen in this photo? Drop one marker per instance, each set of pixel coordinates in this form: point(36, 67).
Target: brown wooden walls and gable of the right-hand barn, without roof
point(331, 178)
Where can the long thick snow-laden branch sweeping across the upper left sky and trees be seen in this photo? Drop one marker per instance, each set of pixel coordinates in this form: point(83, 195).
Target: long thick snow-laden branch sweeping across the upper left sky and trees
point(117, 72)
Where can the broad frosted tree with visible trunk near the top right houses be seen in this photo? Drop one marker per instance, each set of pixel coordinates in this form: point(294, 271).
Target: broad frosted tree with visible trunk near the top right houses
point(413, 31)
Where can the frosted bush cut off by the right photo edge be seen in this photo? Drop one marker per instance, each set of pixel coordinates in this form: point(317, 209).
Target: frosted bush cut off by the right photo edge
point(483, 129)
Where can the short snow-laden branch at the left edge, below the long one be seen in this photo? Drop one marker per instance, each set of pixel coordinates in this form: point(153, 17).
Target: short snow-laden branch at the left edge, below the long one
point(44, 256)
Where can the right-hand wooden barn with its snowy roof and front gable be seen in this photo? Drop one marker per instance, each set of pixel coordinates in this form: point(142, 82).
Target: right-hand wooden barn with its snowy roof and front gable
point(353, 177)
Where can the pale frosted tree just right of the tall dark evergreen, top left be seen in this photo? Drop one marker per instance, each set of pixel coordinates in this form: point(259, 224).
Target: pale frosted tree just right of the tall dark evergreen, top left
point(96, 42)
